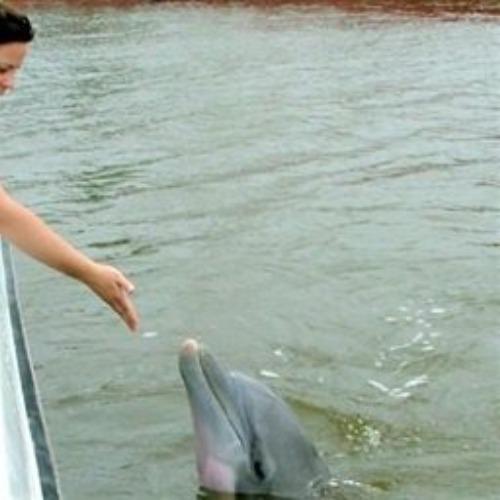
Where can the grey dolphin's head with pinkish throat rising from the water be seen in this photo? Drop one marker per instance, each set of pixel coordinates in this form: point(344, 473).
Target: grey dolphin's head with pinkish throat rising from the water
point(247, 439)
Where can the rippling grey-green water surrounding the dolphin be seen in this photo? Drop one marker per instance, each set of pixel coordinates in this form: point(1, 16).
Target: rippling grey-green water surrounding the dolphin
point(312, 192)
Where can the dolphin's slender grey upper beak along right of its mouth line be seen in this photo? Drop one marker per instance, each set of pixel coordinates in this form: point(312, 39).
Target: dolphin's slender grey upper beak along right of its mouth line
point(216, 379)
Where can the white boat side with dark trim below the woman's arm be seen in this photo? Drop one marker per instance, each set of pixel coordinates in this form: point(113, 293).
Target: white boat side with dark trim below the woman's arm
point(26, 466)
